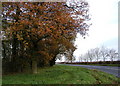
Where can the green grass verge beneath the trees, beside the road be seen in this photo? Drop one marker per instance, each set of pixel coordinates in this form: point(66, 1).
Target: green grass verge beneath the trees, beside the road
point(61, 74)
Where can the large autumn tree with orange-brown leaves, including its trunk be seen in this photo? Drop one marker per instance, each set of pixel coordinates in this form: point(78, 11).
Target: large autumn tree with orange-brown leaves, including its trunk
point(34, 28)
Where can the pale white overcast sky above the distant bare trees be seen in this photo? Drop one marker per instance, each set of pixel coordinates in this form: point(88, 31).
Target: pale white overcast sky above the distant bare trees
point(104, 29)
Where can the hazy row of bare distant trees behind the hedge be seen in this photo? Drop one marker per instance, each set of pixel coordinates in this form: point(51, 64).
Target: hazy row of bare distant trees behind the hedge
point(99, 54)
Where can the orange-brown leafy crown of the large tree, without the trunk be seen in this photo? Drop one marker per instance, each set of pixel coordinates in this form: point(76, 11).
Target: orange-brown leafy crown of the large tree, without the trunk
point(43, 25)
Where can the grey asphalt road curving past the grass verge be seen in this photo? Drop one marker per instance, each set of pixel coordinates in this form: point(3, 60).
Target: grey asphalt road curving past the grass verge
point(108, 69)
